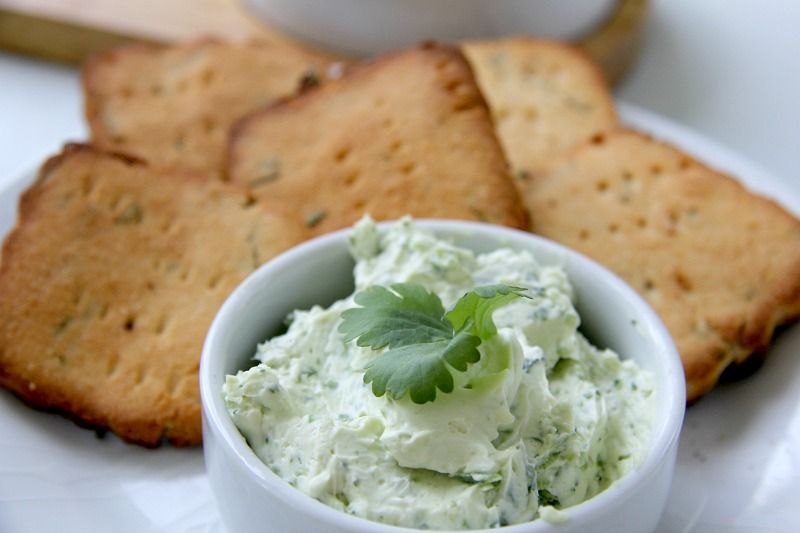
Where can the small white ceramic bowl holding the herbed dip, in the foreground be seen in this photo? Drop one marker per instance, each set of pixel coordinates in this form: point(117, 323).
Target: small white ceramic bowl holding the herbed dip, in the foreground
point(251, 498)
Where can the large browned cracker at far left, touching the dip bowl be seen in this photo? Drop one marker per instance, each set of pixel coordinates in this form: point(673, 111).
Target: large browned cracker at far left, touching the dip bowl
point(109, 282)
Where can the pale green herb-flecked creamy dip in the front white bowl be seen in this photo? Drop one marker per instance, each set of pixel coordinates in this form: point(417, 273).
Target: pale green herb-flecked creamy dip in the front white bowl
point(541, 422)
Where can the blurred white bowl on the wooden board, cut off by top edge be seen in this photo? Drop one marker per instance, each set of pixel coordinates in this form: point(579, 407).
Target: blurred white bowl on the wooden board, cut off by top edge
point(366, 27)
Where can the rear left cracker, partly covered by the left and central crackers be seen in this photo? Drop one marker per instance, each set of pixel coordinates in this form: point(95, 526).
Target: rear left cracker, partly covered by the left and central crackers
point(173, 104)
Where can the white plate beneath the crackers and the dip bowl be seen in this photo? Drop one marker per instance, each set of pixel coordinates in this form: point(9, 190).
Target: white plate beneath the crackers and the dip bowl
point(738, 465)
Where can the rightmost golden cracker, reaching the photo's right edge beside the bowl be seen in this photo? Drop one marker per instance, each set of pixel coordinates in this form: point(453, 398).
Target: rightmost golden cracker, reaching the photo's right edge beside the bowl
point(720, 264)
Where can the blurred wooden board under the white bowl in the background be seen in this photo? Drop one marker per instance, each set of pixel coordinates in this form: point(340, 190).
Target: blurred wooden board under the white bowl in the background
point(71, 30)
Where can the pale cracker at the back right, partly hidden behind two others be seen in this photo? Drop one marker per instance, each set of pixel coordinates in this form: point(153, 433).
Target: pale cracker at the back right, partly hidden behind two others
point(546, 98)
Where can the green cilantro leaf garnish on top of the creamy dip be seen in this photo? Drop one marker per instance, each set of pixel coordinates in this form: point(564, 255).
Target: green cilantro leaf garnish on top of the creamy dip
point(422, 340)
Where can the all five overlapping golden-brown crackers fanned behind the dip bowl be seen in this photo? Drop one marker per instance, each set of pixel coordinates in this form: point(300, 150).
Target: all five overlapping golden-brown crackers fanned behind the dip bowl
point(208, 158)
